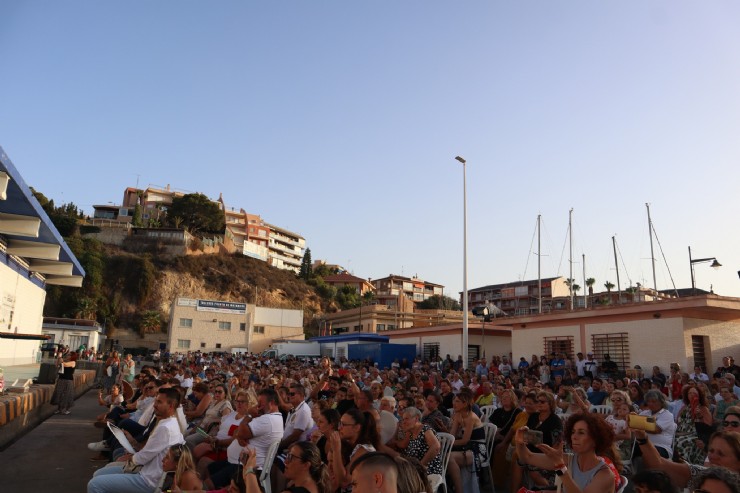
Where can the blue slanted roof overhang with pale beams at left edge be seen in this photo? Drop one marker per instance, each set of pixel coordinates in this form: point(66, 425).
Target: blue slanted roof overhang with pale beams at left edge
point(30, 234)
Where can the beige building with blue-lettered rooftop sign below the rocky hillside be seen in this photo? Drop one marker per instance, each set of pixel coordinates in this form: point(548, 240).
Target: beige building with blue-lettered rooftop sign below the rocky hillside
point(210, 325)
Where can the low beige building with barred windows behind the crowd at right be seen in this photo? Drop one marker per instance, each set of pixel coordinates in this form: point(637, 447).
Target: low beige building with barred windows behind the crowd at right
point(694, 330)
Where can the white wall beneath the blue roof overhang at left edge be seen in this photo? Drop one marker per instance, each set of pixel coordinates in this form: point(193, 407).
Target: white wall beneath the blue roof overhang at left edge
point(21, 310)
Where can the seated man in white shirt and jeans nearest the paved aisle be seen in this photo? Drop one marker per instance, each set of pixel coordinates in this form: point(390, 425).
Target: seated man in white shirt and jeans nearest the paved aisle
point(112, 479)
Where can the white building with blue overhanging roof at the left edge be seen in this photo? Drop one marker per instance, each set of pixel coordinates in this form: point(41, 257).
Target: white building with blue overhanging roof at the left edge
point(33, 255)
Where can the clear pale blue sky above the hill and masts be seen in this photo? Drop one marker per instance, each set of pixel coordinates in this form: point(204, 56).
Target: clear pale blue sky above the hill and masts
point(340, 121)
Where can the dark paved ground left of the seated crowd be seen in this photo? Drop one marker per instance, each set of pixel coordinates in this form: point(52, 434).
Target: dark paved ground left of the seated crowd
point(54, 456)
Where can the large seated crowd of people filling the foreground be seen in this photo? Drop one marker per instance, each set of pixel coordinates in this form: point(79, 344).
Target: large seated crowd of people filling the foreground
point(205, 422)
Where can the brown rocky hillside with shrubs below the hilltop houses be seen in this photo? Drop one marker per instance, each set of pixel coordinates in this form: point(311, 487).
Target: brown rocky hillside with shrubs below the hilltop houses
point(135, 291)
